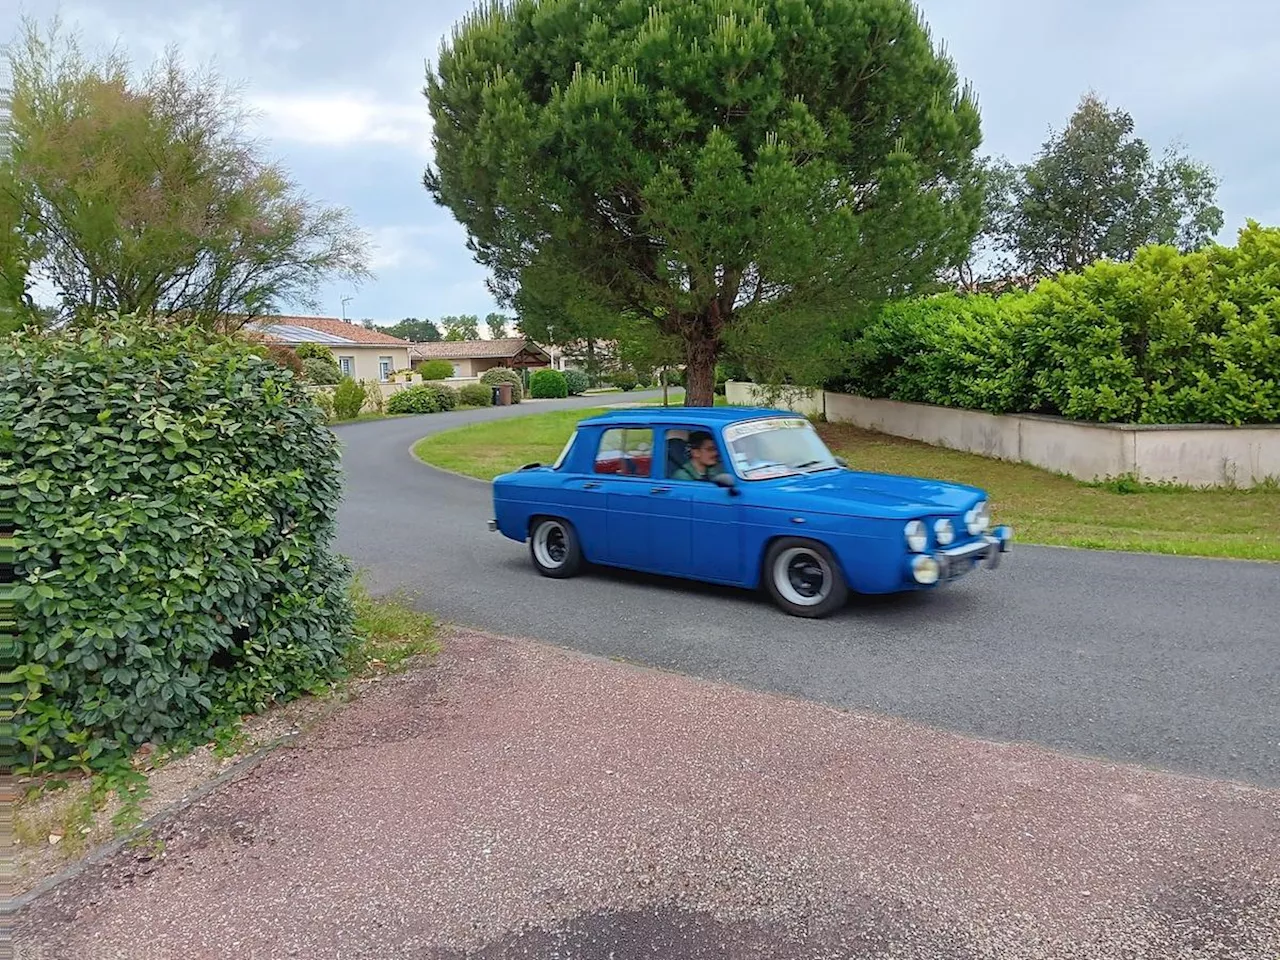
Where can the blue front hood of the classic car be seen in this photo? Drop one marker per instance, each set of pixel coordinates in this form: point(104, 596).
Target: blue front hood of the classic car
point(883, 495)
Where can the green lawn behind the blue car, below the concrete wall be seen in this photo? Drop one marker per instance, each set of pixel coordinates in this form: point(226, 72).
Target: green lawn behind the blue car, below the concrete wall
point(1043, 508)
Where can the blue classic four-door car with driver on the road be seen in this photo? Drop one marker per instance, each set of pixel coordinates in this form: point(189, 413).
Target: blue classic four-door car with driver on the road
point(742, 497)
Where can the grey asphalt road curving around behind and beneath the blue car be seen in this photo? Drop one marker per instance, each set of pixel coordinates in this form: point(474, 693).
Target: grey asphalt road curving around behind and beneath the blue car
point(1160, 661)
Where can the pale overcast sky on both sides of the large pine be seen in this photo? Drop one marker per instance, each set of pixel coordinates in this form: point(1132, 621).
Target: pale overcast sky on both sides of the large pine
point(339, 86)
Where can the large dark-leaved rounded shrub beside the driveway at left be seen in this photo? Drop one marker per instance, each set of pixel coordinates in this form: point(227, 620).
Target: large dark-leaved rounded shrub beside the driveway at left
point(175, 500)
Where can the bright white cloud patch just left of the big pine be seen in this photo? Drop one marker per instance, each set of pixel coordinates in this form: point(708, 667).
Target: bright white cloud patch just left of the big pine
point(344, 120)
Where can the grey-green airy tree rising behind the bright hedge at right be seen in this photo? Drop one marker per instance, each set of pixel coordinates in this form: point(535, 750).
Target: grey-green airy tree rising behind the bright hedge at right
point(1095, 191)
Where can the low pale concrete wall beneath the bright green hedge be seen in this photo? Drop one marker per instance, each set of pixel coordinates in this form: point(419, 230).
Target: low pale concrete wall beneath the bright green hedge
point(1194, 454)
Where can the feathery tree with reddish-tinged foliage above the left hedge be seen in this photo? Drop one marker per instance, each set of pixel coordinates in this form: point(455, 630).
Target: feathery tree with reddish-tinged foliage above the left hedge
point(148, 198)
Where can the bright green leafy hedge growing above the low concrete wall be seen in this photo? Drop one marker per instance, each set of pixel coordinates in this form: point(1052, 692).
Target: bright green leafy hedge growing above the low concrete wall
point(1169, 339)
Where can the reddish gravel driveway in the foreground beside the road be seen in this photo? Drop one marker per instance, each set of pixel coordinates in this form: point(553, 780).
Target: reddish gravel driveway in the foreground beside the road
point(518, 802)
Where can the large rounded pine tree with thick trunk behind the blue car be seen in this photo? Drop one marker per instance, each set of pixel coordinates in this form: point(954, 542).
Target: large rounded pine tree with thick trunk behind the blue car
point(711, 166)
